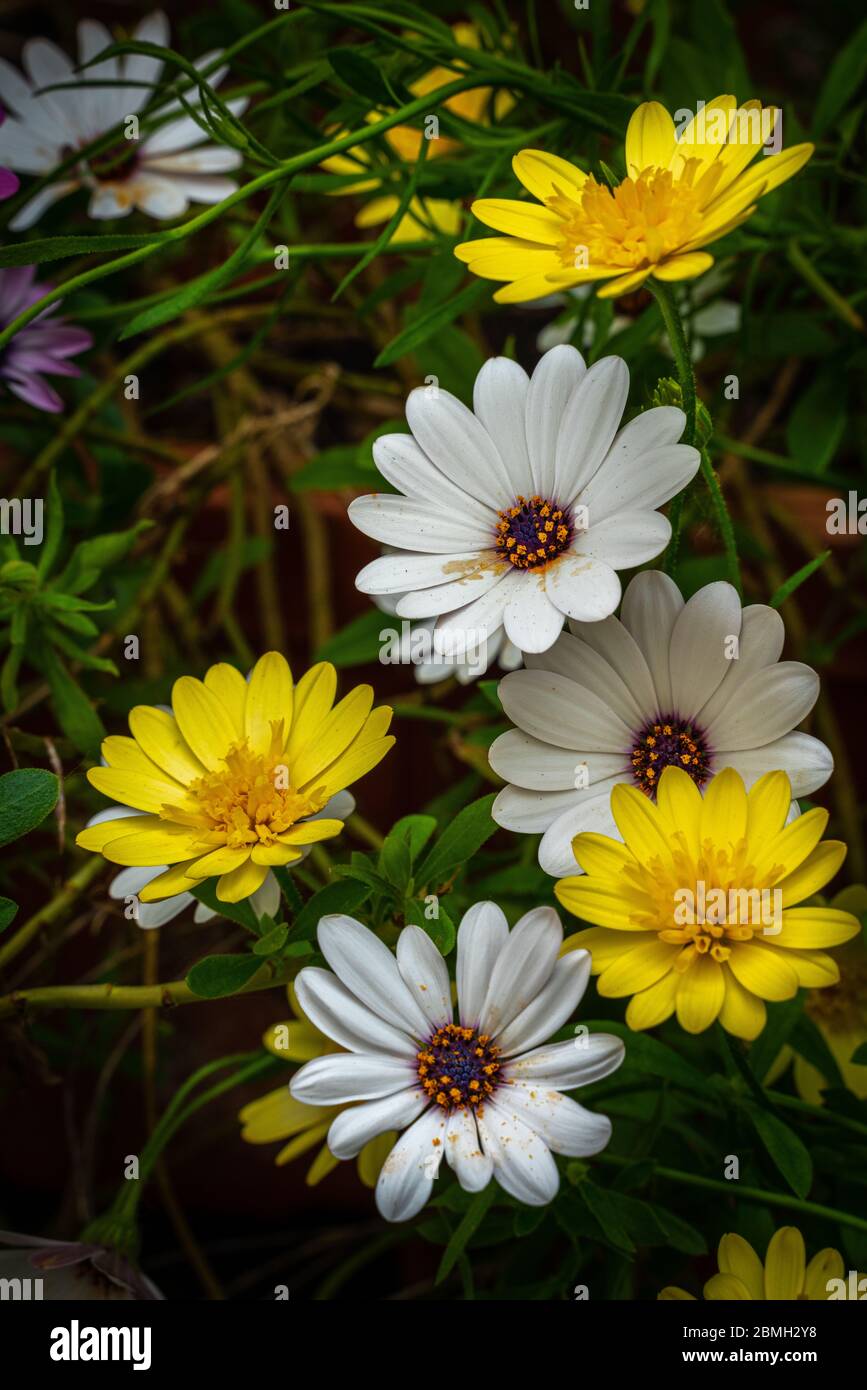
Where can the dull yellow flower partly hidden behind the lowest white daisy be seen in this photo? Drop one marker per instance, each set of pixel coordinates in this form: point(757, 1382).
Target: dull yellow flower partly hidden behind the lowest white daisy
point(280, 1117)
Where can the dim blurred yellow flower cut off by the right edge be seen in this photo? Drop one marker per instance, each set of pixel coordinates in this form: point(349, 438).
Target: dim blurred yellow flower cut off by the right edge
point(840, 1014)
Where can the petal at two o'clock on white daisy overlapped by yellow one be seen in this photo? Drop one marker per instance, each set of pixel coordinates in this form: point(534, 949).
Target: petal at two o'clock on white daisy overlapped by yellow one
point(768, 705)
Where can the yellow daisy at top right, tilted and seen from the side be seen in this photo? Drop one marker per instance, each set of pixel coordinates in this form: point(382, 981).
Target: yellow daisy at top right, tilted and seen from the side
point(680, 194)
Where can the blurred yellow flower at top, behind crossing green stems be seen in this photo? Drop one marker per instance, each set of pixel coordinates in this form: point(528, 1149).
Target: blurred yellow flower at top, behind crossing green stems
point(422, 215)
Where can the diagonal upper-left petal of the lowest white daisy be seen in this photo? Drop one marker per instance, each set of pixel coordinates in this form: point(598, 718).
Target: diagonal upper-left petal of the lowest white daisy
point(369, 970)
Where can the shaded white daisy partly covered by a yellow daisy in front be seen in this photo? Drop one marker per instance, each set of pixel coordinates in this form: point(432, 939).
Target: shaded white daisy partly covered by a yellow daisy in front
point(695, 685)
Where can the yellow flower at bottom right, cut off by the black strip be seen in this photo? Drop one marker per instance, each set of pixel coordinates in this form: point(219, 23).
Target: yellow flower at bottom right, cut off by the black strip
point(786, 1275)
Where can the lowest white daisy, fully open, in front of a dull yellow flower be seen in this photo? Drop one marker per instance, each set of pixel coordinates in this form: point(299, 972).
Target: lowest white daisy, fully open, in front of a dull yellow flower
point(484, 1092)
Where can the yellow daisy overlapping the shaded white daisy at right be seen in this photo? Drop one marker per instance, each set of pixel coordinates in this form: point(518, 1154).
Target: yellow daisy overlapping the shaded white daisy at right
point(695, 914)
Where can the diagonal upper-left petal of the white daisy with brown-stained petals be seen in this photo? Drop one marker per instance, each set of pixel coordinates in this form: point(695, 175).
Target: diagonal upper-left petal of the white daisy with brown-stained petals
point(459, 445)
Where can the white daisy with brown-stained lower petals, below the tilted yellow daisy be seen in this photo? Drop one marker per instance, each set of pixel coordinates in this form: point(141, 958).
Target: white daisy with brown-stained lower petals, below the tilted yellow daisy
point(519, 514)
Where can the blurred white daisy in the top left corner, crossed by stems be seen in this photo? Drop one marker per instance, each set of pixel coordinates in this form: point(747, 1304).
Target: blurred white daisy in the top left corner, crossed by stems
point(162, 174)
